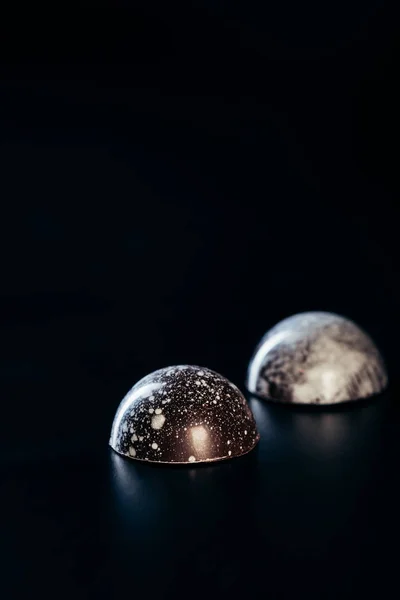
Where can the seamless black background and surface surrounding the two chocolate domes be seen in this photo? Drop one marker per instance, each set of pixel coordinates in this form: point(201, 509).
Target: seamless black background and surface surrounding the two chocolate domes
point(174, 181)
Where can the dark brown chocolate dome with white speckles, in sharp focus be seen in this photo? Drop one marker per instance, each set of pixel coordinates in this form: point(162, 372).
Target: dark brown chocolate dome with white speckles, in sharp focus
point(183, 414)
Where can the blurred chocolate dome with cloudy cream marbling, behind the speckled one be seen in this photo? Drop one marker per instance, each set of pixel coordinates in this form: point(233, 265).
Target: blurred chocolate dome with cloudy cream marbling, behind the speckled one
point(316, 358)
